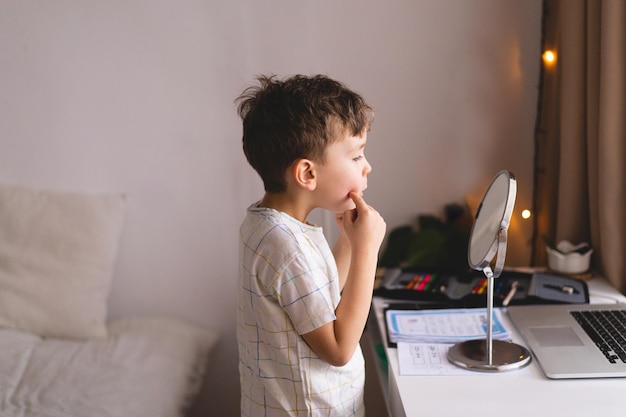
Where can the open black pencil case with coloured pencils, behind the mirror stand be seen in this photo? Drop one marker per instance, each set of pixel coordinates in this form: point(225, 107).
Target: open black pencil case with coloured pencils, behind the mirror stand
point(455, 289)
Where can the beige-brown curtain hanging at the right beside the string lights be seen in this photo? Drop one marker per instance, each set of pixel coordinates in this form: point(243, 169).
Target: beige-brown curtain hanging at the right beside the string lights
point(580, 137)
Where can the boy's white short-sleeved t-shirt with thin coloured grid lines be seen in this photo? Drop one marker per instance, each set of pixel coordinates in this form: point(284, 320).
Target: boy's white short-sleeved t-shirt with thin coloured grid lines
point(288, 286)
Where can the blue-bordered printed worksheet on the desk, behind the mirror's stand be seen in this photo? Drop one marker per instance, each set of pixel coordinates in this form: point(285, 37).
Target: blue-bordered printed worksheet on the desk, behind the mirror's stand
point(443, 326)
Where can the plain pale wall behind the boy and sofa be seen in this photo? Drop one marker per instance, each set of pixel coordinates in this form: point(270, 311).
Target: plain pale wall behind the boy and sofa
point(137, 96)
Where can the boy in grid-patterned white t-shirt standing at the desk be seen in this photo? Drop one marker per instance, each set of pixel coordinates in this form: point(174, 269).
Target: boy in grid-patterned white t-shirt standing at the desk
point(302, 308)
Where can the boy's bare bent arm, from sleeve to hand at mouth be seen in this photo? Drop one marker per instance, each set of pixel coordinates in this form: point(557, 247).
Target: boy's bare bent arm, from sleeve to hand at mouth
point(336, 341)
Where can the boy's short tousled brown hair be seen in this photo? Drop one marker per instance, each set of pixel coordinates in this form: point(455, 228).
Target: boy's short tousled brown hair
point(298, 117)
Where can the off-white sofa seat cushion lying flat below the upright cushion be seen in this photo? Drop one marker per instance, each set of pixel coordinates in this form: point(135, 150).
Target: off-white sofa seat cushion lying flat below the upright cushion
point(146, 367)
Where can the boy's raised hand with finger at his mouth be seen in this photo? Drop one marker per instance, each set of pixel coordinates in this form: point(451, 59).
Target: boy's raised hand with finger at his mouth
point(364, 226)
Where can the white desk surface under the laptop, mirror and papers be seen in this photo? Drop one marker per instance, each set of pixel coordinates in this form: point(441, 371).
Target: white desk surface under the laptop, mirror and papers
point(525, 392)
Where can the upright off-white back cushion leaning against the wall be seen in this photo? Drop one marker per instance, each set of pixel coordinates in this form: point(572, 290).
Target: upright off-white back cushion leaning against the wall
point(57, 254)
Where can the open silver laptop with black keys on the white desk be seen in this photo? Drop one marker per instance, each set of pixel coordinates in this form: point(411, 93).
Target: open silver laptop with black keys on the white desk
point(557, 335)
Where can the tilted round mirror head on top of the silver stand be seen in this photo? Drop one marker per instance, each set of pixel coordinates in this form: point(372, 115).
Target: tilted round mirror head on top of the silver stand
point(491, 223)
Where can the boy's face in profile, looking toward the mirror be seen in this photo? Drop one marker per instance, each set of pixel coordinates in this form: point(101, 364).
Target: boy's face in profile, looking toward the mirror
point(345, 170)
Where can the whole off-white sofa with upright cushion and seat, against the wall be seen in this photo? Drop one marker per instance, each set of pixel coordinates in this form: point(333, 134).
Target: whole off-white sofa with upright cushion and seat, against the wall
point(59, 357)
